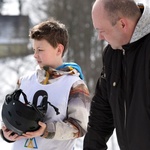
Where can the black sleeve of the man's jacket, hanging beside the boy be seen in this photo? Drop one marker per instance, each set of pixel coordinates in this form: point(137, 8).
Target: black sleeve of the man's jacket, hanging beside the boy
point(100, 125)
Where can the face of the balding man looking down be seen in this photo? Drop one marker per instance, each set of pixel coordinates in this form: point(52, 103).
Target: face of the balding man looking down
point(113, 34)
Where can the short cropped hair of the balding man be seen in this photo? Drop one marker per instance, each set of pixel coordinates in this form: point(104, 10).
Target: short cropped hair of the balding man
point(119, 8)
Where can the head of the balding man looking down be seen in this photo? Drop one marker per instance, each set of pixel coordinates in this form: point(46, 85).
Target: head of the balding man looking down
point(115, 20)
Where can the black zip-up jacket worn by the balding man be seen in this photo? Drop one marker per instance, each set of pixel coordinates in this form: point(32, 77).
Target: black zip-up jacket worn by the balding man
point(122, 99)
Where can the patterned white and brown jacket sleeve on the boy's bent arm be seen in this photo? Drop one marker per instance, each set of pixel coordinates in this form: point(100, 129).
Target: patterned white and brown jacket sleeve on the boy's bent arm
point(75, 123)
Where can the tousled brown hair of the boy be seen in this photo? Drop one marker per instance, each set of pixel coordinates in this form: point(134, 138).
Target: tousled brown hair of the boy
point(52, 31)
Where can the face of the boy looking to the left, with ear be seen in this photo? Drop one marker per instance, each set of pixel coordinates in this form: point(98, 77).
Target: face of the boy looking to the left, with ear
point(45, 54)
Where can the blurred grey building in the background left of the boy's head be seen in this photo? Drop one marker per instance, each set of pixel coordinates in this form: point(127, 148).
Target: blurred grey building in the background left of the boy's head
point(14, 39)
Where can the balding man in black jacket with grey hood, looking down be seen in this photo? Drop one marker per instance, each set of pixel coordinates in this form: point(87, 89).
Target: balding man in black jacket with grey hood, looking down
point(122, 95)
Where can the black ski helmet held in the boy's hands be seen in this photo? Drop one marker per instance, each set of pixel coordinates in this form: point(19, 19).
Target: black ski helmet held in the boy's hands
point(21, 117)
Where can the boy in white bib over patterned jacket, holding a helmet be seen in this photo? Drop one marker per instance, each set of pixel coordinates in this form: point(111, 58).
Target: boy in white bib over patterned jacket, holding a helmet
point(64, 85)
